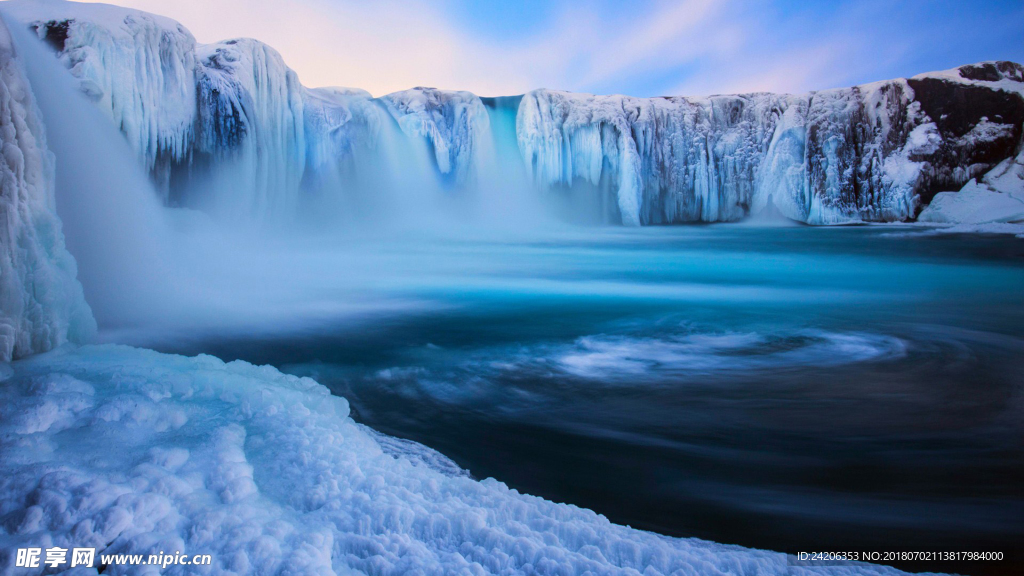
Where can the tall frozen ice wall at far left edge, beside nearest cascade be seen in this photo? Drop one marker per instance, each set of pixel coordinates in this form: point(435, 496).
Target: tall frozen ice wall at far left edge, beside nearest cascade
point(41, 302)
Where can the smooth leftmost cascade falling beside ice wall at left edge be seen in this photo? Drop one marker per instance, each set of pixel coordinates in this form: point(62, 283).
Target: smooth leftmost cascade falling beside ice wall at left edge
point(112, 219)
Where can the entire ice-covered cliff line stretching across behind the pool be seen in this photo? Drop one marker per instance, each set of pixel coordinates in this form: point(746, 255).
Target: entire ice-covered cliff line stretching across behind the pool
point(234, 114)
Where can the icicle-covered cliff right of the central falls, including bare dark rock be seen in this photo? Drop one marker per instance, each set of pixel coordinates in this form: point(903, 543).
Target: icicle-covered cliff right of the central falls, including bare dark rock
point(871, 153)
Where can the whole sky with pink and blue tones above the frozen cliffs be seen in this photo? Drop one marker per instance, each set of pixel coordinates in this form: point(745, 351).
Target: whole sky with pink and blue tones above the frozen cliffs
point(641, 49)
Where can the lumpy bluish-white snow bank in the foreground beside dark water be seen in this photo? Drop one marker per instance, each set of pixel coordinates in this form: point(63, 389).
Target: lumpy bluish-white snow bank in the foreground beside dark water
point(134, 451)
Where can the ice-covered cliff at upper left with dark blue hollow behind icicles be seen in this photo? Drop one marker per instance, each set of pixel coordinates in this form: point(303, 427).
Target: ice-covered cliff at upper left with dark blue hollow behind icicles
point(226, 117)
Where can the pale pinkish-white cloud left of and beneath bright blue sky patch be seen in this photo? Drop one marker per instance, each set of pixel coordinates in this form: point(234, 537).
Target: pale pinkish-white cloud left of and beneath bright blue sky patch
point(388, 47)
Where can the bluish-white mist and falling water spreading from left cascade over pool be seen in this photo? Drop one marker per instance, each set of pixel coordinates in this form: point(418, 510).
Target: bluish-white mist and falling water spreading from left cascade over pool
point(347, 251)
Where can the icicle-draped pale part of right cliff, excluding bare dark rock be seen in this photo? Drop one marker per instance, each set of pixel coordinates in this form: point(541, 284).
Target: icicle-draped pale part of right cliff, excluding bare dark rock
point(718, 159)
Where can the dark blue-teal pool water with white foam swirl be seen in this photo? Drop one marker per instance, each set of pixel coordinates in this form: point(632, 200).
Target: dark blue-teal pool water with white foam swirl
point(793, 389)
